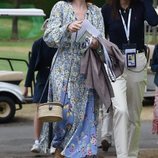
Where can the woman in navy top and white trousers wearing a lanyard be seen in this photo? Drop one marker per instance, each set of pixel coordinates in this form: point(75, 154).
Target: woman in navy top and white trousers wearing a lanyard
point(124, 25)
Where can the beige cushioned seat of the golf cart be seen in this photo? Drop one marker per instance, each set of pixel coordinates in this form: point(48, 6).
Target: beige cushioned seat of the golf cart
point(14, 77)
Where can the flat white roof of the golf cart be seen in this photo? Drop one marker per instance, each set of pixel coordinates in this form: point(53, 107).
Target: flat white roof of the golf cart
point(22, 12)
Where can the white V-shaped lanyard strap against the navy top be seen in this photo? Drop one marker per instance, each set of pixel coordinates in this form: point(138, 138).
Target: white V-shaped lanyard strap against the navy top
point(126, 28)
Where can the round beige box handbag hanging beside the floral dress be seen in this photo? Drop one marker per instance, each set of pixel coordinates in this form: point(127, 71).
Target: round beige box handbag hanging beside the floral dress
point(50, 112)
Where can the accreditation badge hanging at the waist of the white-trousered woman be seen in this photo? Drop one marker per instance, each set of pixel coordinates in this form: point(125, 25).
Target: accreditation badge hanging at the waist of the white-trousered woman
point(130, 54)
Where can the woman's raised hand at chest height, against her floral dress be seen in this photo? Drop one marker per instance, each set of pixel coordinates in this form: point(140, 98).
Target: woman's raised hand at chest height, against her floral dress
point(74, 26)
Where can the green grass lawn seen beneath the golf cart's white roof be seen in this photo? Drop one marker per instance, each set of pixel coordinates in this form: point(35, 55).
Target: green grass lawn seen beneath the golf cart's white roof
point(18, 48)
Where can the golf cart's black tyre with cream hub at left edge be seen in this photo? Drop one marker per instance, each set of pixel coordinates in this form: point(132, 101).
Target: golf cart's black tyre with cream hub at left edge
point(7, 109)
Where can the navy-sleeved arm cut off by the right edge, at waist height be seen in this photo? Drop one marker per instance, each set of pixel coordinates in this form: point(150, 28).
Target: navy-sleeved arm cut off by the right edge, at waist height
point(154, 62)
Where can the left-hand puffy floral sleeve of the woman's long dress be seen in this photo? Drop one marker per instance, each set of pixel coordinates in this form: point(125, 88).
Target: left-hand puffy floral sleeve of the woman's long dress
point(55, 28)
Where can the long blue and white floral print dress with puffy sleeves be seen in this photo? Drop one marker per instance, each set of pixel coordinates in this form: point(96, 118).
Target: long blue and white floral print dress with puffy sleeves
point(76, 133)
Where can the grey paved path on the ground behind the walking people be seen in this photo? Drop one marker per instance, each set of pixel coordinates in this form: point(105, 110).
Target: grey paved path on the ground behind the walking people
point(16, 138)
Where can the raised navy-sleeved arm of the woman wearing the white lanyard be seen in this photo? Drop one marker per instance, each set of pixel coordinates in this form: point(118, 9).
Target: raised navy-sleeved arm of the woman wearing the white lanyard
point(150, 14)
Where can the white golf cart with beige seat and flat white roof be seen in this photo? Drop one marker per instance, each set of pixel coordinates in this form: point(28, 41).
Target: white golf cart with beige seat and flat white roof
point(11, 98)
